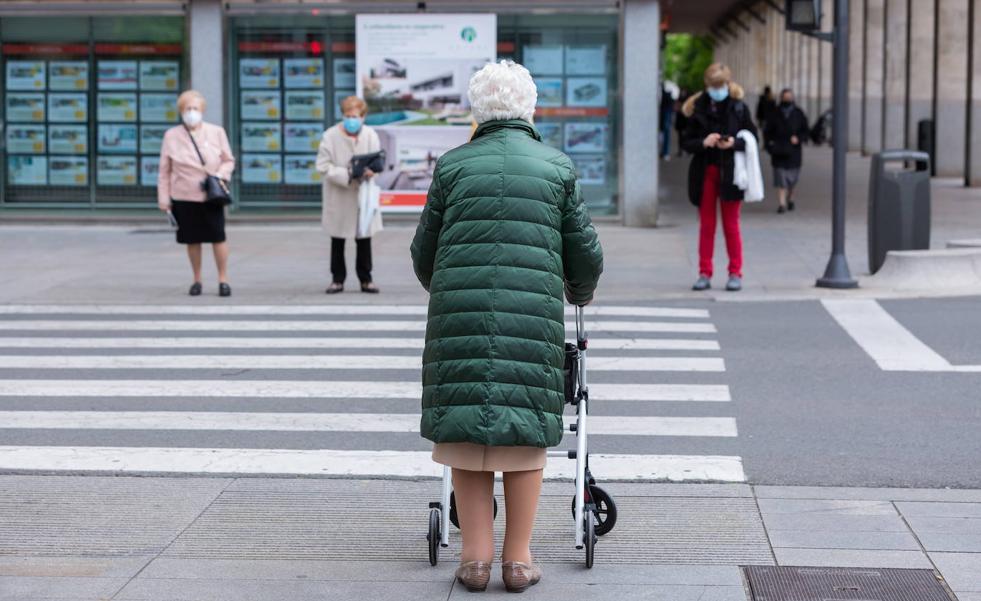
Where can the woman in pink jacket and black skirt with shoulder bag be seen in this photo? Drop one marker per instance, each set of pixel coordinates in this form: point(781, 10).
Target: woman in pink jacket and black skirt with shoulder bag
point(189, 154)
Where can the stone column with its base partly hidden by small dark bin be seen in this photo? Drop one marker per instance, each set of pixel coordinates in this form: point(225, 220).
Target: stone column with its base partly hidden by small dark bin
point(921, 71)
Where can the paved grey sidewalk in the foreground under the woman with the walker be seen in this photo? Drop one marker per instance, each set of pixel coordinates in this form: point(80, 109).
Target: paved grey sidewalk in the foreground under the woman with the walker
point(127, 538)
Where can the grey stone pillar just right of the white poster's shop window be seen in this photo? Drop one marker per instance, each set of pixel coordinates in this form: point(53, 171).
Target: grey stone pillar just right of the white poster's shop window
point(641, 83)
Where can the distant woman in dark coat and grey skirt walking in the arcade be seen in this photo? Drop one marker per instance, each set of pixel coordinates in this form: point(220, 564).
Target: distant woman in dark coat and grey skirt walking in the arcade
point(786, 129)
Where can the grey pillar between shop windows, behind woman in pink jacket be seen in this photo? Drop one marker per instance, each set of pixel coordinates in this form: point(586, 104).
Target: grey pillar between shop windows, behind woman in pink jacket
point(207, 52)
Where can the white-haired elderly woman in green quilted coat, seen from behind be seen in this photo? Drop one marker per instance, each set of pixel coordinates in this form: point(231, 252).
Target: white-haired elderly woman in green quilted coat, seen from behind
point(503, 237)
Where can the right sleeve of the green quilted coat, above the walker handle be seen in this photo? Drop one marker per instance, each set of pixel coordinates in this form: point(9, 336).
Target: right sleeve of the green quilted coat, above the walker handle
point(582, 255)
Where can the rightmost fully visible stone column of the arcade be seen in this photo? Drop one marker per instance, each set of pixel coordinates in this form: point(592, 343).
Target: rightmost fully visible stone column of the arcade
point(951, 87)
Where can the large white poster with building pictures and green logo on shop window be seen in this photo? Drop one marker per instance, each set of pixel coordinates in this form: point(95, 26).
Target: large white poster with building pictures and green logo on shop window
point(413, 70)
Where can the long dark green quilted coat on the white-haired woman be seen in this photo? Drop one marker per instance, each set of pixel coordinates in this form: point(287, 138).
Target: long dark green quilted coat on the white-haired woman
point(503, 235)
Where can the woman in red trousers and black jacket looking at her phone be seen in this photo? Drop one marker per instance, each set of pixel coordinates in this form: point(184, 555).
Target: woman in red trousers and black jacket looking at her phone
point(715, 118)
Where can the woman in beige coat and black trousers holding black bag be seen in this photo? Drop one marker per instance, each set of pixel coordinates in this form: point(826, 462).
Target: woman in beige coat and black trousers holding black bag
point(340, 193)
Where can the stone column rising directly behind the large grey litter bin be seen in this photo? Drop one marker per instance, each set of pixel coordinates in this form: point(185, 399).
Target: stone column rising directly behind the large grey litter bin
point(894, 102)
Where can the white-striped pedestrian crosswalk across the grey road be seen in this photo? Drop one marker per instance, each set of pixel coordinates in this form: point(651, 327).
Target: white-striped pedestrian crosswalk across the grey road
point(326, 390)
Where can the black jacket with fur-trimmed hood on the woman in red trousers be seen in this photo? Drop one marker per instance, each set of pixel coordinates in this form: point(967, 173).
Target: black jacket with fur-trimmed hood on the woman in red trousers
point(726, 117)
